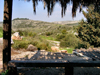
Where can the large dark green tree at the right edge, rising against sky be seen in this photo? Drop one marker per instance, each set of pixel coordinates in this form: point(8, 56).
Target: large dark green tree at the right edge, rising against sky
point(89, 30)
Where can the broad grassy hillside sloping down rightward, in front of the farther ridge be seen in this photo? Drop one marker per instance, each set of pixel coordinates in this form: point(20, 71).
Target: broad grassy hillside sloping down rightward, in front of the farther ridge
point(38, 26)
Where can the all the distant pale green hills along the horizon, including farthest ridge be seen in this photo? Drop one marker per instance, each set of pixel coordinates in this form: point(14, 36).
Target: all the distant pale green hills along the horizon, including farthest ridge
point(41, 26)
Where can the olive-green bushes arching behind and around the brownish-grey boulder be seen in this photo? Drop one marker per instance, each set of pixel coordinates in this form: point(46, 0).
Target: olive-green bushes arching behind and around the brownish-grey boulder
point(39, 43)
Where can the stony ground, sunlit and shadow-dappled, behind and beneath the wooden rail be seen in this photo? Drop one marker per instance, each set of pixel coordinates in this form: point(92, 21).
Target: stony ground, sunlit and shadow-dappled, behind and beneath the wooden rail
point(43, 55)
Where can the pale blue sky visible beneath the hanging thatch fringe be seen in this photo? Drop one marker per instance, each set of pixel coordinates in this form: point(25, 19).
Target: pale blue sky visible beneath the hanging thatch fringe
point(24, 9)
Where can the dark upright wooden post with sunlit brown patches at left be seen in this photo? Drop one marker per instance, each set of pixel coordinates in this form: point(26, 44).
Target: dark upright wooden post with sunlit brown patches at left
point(7, 33)
